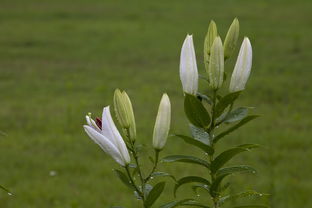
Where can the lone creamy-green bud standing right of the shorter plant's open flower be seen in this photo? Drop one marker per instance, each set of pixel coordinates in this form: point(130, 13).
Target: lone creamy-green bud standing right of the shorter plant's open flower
point(162, 124)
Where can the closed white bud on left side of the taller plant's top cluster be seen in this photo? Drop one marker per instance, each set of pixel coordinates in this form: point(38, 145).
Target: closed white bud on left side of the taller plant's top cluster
point(188, 66)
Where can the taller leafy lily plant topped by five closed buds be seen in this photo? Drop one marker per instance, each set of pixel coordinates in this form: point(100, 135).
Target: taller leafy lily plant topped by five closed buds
point(212, 116)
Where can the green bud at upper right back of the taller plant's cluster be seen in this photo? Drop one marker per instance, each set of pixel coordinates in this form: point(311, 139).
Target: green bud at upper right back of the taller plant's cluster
point(231, 38)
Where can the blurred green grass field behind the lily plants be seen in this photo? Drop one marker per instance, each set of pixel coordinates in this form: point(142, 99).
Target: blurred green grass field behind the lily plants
point(61, 59)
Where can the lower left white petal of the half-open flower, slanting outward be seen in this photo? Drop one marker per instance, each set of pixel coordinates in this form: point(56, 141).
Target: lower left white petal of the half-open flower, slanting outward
point(105, 144)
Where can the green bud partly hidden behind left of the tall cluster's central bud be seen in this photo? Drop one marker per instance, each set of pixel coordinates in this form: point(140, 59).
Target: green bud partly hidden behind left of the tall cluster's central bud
point(210, 36)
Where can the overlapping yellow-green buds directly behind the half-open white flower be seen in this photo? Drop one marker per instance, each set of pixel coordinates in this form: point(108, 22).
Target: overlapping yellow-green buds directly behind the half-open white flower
point(124, 112)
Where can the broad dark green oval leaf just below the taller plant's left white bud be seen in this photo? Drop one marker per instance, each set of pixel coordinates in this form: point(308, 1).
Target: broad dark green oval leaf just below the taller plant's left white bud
point(196, 112)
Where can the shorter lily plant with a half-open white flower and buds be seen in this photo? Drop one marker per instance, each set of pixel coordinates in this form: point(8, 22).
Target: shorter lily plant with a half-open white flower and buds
point(122, 145)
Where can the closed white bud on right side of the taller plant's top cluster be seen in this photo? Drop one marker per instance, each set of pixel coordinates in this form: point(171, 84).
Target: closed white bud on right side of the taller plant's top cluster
point(242, 67)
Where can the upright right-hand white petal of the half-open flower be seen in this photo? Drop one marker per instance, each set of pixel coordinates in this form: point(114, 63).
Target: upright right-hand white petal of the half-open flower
point(110, 131)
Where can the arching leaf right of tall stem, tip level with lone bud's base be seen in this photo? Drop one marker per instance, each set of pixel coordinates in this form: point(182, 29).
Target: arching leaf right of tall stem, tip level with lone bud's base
point(225, 156)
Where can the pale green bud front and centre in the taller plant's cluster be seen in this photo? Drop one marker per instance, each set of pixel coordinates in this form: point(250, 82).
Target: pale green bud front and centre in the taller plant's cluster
point(216, 64)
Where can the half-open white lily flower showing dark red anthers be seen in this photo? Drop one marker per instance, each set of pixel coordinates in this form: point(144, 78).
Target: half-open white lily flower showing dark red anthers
point(106, 135)
